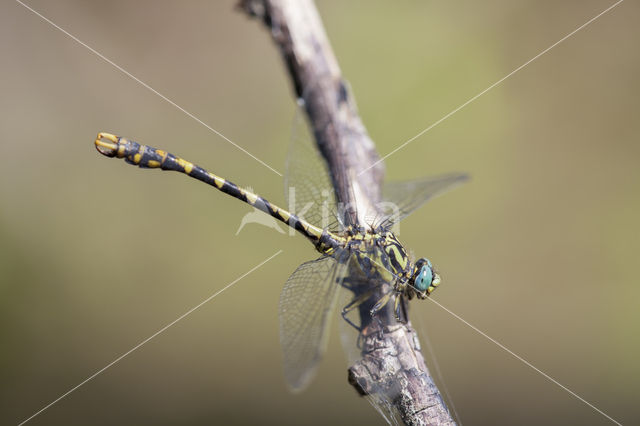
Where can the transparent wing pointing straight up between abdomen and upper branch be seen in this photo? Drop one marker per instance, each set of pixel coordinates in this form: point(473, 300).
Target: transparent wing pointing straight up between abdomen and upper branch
point(307, 187)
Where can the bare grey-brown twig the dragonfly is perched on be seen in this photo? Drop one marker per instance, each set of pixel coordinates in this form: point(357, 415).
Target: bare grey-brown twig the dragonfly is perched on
point(392, 368)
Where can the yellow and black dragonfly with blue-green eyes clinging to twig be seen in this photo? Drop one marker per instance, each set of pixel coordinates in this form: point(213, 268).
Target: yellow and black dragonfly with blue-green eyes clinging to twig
point(350, 254)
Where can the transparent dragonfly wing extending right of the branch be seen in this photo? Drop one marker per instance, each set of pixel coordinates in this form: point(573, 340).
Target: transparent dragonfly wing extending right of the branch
point(403, 198)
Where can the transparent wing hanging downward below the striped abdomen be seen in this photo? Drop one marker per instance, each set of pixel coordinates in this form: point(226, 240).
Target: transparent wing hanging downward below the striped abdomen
point(306, 304)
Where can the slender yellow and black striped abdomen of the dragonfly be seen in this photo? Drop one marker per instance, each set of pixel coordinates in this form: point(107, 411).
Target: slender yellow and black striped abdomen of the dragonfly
point(148, 157)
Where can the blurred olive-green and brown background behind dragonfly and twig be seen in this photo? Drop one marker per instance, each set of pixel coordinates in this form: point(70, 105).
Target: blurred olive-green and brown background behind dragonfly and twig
point(539, 250)
